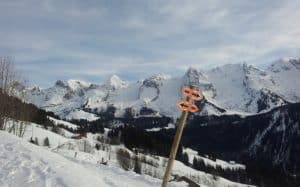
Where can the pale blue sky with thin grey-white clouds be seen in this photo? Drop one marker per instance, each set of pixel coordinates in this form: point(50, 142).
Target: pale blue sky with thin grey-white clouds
point(92, 39)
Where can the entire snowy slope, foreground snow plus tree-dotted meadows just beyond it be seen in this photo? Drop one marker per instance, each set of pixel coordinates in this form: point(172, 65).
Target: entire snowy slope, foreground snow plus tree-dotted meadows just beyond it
point(71, 162)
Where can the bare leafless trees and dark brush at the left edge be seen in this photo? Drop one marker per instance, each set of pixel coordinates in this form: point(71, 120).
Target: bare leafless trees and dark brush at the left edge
point(12, 98)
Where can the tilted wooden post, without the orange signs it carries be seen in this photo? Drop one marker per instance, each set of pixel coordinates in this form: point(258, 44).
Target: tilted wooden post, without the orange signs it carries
point(175, 146)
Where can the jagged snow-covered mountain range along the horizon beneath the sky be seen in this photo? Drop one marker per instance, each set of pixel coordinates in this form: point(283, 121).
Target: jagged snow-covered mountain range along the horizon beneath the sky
point(229, 89)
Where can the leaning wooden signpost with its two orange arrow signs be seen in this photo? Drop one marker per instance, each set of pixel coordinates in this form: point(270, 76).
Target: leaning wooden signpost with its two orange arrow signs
point(186, 106)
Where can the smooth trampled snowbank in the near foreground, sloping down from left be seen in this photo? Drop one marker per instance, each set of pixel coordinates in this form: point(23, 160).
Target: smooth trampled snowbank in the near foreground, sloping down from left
point(25, 164)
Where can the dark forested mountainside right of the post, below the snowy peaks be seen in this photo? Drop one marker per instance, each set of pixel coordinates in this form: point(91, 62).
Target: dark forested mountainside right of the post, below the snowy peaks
point(267, 143)
